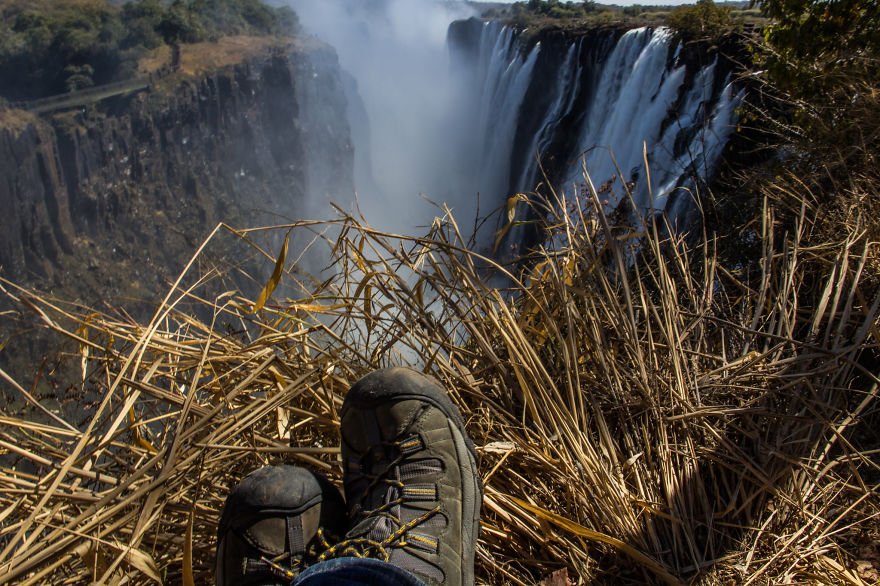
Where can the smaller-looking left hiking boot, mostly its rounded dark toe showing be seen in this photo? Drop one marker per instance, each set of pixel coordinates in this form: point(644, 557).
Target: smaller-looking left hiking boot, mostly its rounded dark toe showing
point(274, 524)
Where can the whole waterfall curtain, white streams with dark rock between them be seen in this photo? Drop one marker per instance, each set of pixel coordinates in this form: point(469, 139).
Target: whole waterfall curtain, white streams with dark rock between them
point(635, 99)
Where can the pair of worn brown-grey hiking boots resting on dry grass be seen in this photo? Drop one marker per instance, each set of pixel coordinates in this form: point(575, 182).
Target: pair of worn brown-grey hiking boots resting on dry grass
point(412, 494)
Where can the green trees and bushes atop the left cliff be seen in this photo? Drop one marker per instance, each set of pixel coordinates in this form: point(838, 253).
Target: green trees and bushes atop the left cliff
point(53, 46)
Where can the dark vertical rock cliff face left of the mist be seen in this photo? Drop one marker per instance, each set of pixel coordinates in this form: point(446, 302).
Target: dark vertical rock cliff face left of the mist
point(113, 199)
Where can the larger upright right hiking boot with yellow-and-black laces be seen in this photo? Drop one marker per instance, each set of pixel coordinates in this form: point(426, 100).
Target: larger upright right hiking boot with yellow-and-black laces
point(411, 480)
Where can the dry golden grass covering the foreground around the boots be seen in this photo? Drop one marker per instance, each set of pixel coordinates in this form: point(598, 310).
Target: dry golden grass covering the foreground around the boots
point(641, 417)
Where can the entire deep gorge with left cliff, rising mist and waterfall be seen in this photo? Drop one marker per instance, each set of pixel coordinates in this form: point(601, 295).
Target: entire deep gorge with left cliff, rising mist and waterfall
point(426, 105)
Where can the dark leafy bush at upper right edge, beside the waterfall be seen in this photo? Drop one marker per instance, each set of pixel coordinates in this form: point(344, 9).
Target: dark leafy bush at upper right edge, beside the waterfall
point(821, 69)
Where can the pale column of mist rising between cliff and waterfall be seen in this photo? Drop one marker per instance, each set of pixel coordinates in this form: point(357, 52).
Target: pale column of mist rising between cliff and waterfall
point(401, 104)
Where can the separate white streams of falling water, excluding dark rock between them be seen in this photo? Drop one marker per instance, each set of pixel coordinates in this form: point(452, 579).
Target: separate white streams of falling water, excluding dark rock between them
point(639, 105)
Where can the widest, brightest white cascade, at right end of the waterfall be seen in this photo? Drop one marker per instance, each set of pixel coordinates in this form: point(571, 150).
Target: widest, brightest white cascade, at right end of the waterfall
point(638, 93)
